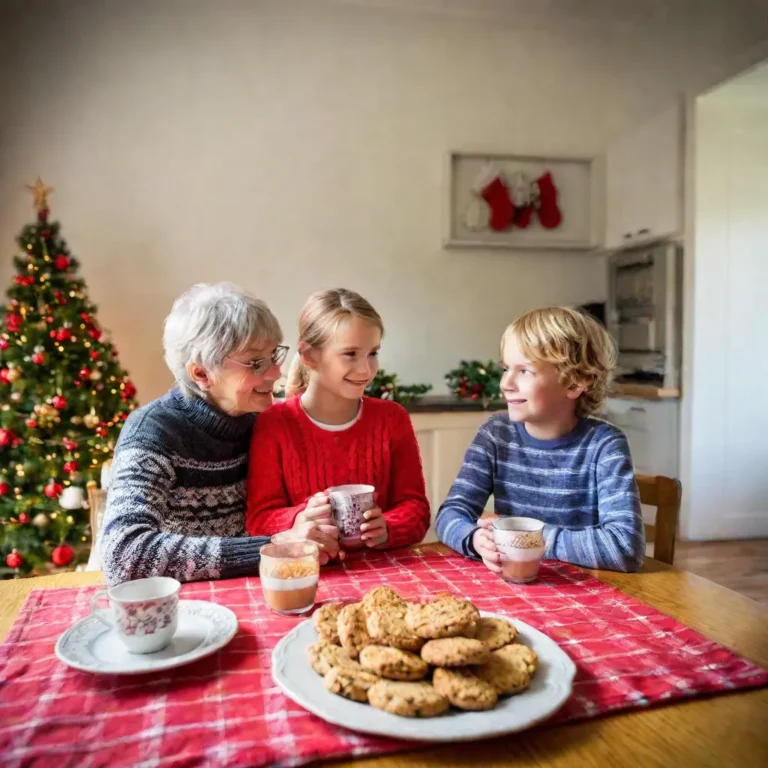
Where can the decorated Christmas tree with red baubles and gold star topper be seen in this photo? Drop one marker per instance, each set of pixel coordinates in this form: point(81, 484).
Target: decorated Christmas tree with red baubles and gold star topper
point(63, 400)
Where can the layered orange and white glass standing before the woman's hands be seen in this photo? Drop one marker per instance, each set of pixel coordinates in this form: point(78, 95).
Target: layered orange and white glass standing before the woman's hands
point(289, 573)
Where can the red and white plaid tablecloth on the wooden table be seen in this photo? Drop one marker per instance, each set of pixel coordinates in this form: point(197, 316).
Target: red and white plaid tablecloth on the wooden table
point(226, 710)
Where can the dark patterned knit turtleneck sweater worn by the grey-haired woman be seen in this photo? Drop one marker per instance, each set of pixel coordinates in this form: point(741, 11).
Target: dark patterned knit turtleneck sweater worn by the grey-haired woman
point(176, 501)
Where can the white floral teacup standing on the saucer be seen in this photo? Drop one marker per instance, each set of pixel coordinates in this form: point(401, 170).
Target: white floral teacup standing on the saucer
point(144, 613)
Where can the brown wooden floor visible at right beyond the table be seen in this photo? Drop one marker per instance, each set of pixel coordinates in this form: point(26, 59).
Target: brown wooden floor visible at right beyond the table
point(739, 565)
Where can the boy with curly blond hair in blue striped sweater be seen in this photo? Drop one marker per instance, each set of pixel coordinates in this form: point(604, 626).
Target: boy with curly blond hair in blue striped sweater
point(548, 457)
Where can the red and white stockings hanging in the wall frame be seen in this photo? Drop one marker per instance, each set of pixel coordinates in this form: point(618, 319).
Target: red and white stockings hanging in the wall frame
point(500, 203)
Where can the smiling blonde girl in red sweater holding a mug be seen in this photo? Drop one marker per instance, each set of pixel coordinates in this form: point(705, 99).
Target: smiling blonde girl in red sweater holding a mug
point(327, 434)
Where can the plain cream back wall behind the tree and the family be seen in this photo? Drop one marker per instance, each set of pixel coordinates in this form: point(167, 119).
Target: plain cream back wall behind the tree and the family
point(290, 146)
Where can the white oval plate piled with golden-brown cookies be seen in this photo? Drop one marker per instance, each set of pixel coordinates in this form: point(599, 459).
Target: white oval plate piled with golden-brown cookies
point(437, 670)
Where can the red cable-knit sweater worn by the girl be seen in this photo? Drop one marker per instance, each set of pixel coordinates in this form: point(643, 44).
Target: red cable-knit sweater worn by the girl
point(291, 459)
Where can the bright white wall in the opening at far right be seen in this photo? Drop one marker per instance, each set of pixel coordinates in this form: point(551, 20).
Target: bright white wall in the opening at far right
point(725, 423)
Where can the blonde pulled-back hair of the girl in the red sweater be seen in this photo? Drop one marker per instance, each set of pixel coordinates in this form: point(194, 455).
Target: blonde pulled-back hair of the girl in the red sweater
point(318, 321)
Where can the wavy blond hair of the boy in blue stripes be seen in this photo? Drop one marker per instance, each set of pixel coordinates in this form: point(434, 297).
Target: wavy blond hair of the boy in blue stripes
point(577, 345)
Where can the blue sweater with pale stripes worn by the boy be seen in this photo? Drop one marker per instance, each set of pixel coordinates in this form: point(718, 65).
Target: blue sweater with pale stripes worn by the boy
point(582, 486)
